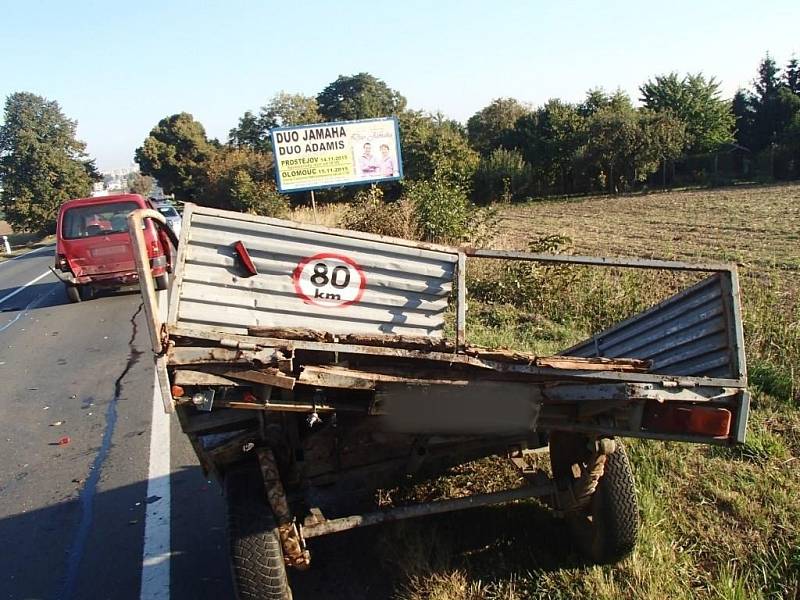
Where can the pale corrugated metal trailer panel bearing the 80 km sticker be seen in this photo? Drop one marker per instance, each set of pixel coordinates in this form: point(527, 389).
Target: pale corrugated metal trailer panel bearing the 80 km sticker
point(405, 287)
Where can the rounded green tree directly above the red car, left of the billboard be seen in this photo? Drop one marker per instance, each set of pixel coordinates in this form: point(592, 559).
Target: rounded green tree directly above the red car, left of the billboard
point(175, 153)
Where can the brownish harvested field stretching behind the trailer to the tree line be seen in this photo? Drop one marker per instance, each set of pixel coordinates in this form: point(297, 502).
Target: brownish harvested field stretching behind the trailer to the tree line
point(756, 226)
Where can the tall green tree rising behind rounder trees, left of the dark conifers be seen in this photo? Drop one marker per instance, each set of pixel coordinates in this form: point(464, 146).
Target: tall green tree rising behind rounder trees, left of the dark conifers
point(696, 101)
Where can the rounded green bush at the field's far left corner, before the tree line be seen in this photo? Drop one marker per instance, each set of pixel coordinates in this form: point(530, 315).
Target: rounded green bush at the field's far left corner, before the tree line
point(503, 175)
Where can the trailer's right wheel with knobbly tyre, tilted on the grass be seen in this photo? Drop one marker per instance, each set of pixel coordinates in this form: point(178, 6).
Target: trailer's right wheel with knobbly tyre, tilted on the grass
point(606, 530)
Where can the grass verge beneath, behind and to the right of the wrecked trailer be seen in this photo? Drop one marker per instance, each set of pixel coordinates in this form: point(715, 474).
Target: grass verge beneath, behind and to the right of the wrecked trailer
point(718, 523)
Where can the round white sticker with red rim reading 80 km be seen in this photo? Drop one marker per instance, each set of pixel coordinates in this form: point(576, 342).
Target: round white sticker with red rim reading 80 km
point(329, 279)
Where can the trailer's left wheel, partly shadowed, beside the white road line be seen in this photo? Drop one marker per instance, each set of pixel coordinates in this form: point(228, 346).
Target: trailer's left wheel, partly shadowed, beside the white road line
point(259, 572)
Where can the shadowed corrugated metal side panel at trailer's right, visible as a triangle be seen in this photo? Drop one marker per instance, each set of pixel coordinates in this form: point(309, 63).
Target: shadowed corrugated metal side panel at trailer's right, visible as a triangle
point(690, 334)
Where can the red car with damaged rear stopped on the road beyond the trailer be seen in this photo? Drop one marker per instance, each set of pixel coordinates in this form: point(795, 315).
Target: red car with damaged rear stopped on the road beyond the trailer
point(93, 249)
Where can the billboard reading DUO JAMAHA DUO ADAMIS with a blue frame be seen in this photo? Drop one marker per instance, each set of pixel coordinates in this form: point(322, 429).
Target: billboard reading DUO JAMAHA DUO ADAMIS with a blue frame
point(323, 155)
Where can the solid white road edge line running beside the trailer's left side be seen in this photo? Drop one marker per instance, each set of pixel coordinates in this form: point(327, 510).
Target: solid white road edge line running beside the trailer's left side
point(157, 548)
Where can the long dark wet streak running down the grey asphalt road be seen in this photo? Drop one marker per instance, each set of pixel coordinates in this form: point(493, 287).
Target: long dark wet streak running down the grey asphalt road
point(87, 494)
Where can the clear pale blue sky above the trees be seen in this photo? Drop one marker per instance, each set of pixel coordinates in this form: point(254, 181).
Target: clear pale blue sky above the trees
point(120, 67)
